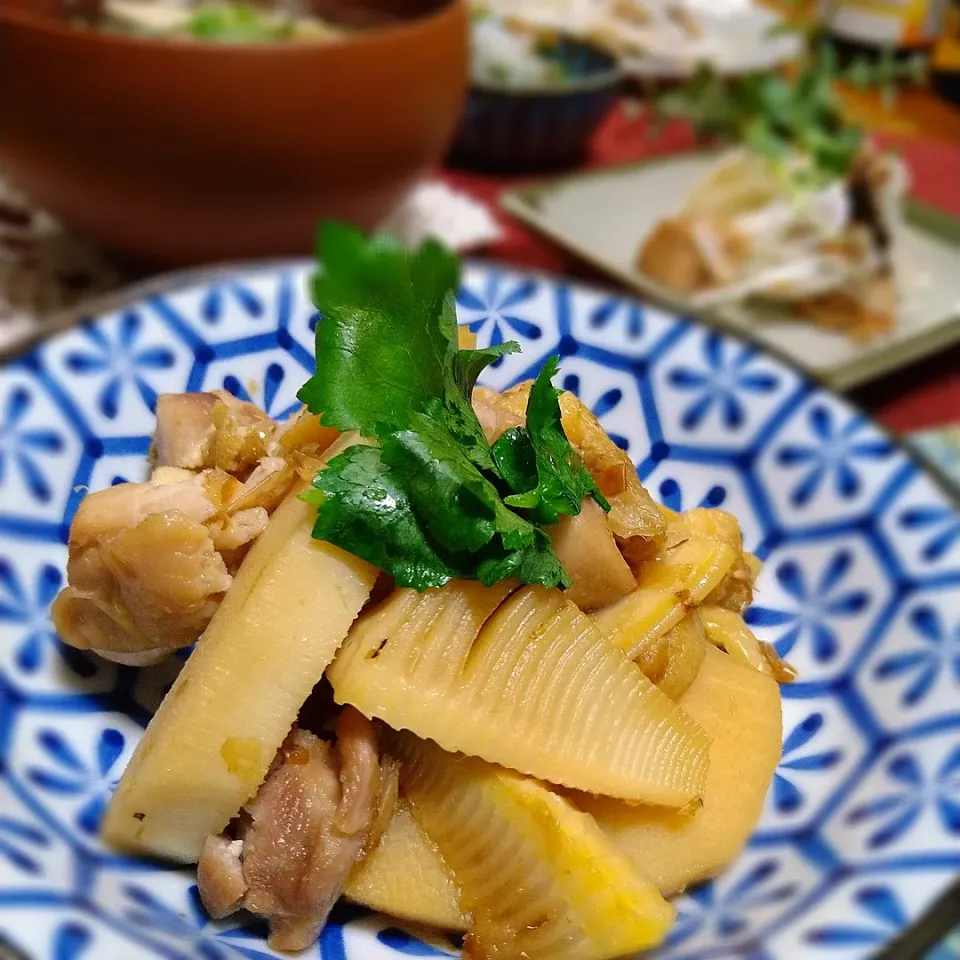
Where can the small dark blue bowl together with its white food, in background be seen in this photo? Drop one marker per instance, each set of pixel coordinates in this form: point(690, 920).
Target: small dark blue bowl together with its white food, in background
point(536, 98)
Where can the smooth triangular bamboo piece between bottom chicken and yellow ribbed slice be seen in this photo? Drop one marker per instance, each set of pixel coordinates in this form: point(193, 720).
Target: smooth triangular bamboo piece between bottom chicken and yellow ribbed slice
point(404, 876)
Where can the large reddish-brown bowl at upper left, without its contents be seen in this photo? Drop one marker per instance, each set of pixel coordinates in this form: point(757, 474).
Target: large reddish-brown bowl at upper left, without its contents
point(178, 153)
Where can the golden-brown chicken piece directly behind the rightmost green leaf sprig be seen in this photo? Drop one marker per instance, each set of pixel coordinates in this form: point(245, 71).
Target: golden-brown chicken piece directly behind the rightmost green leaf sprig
point(634, 518)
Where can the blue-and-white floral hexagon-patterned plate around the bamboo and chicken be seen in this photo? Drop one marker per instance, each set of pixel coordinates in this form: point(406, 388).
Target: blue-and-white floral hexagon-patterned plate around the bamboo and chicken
point(862, 826)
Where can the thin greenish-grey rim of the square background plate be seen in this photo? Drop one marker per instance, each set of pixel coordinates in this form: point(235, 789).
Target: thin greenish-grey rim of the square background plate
point(523, 203)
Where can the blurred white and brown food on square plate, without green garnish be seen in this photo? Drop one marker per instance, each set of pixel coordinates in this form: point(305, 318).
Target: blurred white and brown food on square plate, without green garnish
point(748, 230)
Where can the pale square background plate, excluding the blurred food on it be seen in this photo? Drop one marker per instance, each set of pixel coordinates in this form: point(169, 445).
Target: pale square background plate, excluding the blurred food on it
point(603, 217)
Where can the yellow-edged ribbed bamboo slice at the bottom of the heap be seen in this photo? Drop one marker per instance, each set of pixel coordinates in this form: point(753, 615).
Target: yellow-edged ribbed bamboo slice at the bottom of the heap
point(537, 876)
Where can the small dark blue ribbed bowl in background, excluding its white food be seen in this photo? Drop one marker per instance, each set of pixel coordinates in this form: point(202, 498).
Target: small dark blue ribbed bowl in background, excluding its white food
point(517, 125)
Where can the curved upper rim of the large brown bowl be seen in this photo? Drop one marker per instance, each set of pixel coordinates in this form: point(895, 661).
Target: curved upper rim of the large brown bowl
point(449, 9)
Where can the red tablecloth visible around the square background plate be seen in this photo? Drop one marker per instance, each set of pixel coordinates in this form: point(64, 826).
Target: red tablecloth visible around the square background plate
point(926, 394)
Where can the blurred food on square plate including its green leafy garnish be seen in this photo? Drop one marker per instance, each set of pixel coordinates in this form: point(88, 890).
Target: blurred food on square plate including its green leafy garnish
point(801, 211)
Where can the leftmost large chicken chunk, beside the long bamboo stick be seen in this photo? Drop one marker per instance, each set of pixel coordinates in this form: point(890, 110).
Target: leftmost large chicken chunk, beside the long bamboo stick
point(150, 562)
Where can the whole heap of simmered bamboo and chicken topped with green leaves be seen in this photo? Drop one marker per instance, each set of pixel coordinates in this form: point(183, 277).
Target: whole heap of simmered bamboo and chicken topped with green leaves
point(451, 660)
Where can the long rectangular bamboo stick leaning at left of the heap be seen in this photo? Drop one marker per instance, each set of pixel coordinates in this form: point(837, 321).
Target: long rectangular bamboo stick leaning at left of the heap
point(208, 748)
